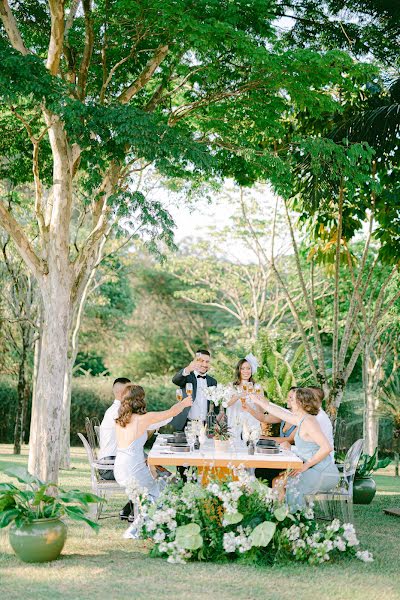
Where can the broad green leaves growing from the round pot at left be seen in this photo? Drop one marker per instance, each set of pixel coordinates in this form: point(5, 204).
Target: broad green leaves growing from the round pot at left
point(38, 500)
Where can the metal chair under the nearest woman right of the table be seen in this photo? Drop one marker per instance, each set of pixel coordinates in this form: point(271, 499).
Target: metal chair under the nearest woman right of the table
point(339, 502)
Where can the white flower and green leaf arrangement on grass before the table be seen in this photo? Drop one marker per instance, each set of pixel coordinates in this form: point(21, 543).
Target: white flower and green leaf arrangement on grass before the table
point(237, 520)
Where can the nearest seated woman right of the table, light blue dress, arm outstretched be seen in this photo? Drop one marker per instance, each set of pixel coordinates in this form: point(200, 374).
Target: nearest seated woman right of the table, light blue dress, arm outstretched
point(318, 473)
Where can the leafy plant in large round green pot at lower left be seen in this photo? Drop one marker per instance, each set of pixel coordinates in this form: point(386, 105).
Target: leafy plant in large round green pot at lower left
point(34, 509)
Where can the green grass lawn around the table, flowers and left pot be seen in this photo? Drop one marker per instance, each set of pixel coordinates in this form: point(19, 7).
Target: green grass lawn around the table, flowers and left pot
point(107, 566)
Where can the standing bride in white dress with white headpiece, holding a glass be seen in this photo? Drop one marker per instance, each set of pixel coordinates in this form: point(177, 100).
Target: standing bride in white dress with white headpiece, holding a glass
point(236, 415)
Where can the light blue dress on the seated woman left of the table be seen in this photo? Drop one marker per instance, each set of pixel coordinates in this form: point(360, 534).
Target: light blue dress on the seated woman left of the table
point(130, 464)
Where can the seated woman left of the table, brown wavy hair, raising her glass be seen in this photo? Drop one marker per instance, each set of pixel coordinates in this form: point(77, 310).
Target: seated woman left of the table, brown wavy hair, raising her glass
point(132, 425)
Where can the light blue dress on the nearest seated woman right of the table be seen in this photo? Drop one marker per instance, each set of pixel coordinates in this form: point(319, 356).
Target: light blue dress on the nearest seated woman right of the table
point(322, 477)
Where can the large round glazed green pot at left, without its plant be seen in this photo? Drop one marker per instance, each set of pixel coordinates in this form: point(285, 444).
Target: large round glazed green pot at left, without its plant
point(39, 541)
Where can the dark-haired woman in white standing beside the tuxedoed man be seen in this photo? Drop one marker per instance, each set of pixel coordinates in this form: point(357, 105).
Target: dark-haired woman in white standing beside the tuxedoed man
point(236, 413)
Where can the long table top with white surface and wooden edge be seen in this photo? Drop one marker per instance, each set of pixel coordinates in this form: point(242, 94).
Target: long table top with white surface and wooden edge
point(207, 456)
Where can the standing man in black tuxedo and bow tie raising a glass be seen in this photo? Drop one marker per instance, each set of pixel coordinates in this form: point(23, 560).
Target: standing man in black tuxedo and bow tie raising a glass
point(195, 373)
